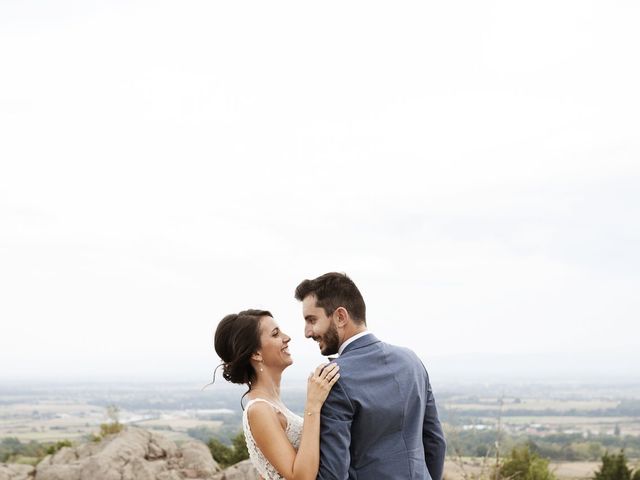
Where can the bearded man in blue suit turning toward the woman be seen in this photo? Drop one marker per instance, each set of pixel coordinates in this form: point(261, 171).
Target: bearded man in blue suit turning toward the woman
point(380, 420)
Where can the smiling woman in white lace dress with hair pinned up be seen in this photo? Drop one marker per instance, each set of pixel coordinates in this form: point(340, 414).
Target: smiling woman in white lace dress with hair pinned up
point(255, 352)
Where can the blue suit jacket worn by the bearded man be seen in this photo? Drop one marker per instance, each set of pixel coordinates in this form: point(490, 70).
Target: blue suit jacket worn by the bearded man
point(380, 420)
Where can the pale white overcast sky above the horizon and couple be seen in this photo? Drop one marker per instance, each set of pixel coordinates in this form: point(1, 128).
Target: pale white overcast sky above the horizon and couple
point(473, 166)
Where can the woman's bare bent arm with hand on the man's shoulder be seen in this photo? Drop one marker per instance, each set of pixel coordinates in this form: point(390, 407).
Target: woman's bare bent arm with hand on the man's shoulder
point(272, 440)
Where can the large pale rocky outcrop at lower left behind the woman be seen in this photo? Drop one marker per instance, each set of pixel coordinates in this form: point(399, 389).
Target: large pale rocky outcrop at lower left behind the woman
point(133, 454)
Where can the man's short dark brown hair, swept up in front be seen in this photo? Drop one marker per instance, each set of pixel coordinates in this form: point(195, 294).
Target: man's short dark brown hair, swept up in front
point(333, 290)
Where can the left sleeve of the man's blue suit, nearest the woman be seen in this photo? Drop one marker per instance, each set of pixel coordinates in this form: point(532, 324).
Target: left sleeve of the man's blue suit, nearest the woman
point(335, 435)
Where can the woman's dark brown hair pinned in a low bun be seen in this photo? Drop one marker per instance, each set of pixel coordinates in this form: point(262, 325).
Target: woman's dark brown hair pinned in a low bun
point(237, 337)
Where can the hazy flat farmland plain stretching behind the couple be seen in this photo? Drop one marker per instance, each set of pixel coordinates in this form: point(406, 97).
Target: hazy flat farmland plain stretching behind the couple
point(572, 425)
